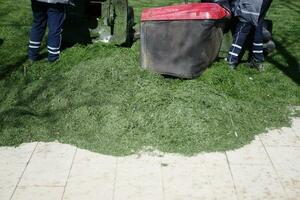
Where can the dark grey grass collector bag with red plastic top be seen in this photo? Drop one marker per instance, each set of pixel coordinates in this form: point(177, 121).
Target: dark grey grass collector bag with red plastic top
point(182, 40)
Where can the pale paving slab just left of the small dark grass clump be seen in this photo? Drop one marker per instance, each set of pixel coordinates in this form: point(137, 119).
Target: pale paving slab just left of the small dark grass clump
point(139, 178)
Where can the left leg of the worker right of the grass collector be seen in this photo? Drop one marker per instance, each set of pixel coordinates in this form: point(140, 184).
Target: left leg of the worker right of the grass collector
point(240, 36)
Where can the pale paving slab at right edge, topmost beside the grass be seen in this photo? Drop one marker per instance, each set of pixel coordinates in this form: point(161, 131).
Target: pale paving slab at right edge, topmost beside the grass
point(282, 137)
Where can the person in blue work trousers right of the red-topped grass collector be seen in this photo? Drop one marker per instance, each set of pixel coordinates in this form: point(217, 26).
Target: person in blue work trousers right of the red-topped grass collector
point(250, 14)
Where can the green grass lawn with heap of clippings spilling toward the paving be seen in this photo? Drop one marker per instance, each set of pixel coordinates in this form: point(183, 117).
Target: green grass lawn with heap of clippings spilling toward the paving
point(98, 98)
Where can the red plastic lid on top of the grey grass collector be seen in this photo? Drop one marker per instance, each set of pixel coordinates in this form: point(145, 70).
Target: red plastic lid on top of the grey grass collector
point(191, 11)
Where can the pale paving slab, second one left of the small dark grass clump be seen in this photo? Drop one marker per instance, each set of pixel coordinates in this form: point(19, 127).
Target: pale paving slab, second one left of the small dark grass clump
point(92, 178)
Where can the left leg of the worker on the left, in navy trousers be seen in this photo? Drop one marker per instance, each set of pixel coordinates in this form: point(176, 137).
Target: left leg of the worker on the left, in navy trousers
point(39, 23)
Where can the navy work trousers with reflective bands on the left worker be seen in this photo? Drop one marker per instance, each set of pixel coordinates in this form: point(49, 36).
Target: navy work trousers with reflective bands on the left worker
point(43, 14)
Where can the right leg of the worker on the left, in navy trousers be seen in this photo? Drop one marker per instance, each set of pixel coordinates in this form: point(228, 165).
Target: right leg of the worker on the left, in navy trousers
point(56, 17)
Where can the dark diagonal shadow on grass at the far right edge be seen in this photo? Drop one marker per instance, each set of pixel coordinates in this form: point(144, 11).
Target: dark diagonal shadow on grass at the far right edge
point(291, 65)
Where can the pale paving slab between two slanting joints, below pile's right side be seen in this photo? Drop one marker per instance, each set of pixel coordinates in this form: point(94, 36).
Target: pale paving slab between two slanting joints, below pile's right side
point(252, 154)
